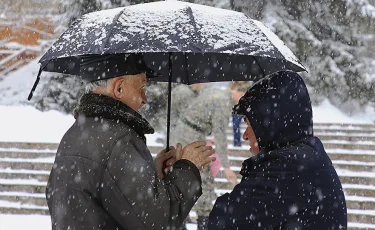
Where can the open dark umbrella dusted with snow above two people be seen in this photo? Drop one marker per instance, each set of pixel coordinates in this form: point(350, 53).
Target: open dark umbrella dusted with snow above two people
point(177, 42)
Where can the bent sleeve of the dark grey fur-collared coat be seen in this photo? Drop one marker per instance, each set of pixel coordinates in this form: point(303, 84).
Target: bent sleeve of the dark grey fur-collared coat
point(134, 196)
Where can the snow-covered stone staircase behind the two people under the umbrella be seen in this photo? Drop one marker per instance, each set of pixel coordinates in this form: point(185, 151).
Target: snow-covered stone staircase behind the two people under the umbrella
point(25, 167)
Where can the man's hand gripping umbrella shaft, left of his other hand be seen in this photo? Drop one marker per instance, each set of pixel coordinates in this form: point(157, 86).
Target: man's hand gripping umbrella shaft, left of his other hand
point(168, 157)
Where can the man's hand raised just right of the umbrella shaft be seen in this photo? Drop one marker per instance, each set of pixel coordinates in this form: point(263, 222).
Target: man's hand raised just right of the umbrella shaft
point(198, 153)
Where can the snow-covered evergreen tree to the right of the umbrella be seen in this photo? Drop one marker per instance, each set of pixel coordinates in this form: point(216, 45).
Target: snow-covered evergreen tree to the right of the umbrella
point(328, 37)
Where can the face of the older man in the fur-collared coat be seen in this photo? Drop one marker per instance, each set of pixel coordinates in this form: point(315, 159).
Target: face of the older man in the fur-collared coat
point(132, 90)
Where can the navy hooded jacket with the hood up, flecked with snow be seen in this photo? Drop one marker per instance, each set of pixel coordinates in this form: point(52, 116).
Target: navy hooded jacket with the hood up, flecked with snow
point(291, 183)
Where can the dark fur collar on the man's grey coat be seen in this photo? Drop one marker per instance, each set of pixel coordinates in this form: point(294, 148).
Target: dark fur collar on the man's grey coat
point(97, 105)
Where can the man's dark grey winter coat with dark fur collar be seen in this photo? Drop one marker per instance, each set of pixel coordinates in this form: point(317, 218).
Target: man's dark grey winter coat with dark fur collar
point(104, 175)
